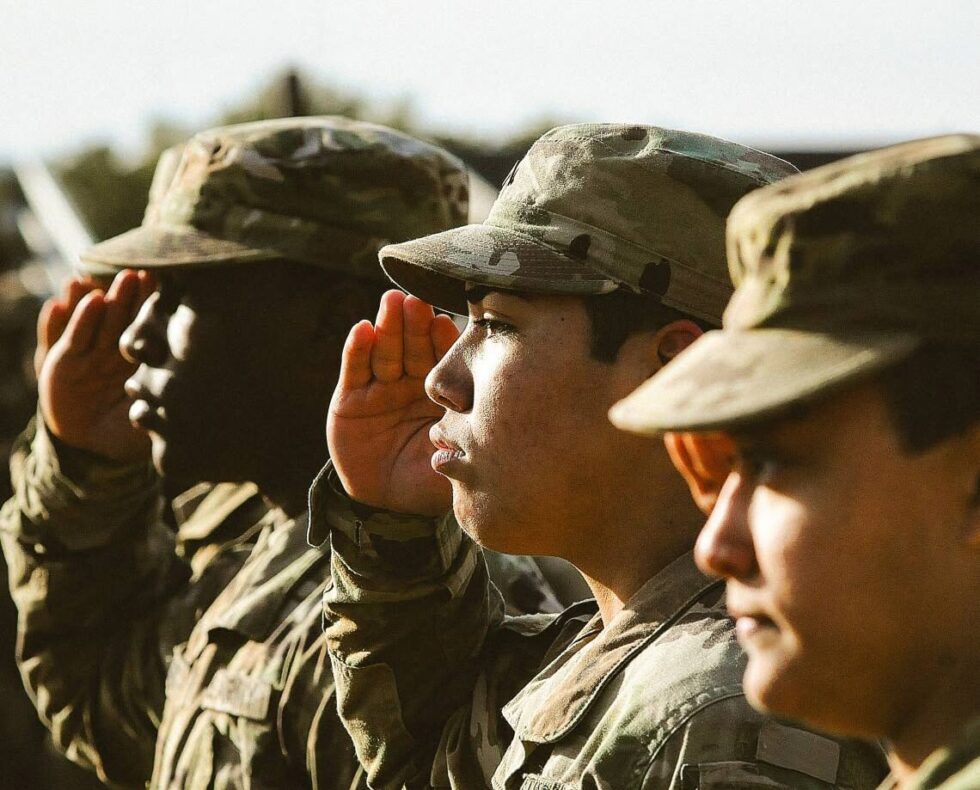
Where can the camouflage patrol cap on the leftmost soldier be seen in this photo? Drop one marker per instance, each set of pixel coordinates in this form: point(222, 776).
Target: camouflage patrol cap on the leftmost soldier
point(327, 191)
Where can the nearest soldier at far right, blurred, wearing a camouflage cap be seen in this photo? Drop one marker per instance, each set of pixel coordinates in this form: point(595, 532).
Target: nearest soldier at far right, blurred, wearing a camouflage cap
point(834, 428)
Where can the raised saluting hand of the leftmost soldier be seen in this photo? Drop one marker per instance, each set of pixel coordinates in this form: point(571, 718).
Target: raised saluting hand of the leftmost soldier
point(80, 370)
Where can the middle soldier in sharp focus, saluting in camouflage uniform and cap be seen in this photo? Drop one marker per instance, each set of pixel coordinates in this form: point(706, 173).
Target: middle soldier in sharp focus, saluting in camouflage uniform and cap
point(602, 258)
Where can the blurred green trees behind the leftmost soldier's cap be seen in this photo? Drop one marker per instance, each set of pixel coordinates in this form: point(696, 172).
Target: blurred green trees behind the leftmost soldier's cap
point(111, 193)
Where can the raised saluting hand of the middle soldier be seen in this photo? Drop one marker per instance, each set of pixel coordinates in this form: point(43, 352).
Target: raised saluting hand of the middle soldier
point(379, 419)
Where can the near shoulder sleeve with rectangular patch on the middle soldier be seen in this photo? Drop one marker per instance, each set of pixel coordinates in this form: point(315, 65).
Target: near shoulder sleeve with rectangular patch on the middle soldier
point(728, 744)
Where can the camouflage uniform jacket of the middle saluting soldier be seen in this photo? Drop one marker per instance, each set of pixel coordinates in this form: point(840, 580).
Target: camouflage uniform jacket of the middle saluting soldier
point(439, 688)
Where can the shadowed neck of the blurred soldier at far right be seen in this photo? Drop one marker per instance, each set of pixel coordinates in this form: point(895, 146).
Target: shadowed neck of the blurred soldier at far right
point(947, 709)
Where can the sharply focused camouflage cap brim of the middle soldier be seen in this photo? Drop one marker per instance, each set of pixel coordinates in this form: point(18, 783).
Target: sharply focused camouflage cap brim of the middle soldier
point(437, 268)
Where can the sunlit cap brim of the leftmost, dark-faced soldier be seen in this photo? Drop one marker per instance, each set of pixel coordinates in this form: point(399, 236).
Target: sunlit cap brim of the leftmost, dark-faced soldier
point(156, 246)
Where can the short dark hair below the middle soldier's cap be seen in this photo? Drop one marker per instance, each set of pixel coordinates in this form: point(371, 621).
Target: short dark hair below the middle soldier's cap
point(617, 315)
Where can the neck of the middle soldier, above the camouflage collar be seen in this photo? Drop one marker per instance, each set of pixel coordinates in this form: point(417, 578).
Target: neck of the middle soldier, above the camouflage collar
point(640, 536)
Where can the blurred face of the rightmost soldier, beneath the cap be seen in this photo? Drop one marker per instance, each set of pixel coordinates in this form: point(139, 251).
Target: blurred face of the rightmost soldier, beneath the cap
point(850, 566)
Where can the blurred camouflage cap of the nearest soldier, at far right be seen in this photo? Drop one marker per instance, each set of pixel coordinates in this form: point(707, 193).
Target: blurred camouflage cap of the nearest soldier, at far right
point(840, 272)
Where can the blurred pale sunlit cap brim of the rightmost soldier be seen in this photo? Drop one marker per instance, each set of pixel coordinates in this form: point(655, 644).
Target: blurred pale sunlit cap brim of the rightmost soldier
point(729, 379)
